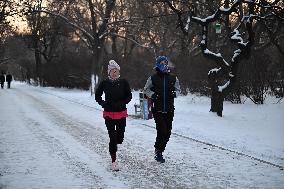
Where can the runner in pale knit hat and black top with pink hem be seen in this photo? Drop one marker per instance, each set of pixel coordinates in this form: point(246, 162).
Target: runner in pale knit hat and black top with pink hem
point(117, 95)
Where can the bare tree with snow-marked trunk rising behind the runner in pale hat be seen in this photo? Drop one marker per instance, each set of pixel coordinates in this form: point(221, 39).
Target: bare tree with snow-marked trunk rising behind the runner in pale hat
point(99, 14)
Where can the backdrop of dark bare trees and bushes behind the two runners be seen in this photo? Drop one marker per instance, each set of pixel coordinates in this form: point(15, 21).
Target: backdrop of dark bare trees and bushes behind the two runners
point(72, 41)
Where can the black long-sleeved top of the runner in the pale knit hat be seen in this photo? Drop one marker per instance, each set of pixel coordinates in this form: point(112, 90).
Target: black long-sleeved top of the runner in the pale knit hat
point(117, 95)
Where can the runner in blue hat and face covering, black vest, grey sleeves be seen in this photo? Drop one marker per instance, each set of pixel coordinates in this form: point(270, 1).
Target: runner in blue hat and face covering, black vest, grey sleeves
point(162, 88)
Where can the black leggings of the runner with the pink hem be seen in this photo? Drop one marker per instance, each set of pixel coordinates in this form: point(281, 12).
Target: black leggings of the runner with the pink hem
point(116, 129)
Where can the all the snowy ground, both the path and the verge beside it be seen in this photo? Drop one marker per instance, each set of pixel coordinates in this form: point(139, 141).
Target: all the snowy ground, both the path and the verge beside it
point(56, 138)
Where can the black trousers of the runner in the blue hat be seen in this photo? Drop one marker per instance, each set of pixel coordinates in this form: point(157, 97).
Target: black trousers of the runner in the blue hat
point(164, 129)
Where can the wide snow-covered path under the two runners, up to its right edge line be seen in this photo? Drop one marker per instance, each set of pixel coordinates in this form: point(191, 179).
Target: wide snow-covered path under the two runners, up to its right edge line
point(48, 142)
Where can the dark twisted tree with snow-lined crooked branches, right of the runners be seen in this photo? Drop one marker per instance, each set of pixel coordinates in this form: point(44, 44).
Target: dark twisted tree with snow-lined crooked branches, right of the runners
point(223, 77)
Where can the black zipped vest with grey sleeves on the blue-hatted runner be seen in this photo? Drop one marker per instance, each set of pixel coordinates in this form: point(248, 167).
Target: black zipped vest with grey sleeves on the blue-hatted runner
point(162, 88)
